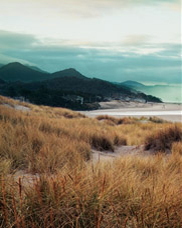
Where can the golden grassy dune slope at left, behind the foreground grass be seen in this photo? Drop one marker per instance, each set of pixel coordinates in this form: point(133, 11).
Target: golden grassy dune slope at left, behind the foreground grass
point(47, 143)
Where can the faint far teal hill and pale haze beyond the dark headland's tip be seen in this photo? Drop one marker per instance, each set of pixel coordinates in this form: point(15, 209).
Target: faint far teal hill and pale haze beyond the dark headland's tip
point(168, 93)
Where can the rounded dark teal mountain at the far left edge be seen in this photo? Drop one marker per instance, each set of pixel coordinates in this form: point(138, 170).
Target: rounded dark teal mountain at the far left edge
point(18, 72)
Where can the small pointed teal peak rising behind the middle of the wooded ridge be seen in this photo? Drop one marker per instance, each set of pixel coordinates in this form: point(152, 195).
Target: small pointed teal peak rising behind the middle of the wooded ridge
point(71, 72)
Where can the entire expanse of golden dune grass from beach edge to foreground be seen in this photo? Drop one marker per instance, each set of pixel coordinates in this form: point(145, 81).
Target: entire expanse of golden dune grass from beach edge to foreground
point(64, 188)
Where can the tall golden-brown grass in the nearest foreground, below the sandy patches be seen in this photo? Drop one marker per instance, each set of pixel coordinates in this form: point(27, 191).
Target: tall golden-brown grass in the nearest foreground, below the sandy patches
point(127, 193)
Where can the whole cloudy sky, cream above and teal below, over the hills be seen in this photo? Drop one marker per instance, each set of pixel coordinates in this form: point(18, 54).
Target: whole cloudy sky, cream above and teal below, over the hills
point(114, 40)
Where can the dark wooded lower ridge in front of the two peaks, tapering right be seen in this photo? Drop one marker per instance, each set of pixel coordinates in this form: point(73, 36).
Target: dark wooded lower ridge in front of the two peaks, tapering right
point(73, 92)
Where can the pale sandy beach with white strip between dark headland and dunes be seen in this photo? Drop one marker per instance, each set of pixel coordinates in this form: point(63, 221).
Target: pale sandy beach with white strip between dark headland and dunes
point(166, 111)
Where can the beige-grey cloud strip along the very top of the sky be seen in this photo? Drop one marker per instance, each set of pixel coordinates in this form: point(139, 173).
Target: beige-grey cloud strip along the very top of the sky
point(80, 8)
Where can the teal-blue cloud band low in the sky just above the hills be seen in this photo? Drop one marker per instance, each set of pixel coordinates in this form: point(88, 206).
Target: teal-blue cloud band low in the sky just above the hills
point(118, 62)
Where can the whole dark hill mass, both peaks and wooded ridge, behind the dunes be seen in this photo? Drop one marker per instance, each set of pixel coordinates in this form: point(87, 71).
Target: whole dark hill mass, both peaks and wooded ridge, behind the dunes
point(67, 88)
